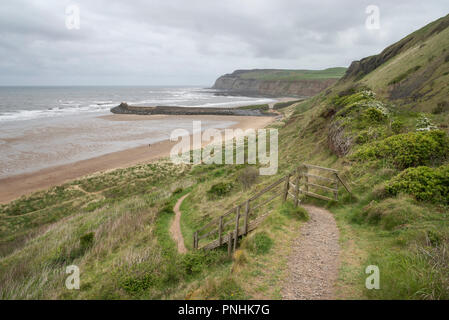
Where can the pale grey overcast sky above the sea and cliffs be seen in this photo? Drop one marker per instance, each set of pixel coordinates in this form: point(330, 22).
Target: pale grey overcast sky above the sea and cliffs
point(180, 42)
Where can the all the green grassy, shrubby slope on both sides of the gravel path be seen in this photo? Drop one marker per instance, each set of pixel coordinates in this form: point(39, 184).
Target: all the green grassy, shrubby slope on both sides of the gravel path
point(384, 125)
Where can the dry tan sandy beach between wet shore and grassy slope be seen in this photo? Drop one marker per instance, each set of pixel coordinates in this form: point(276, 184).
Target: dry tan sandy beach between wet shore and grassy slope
point(14, 186)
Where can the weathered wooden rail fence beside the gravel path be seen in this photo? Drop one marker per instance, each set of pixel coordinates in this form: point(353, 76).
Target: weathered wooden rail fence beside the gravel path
point(227, 228)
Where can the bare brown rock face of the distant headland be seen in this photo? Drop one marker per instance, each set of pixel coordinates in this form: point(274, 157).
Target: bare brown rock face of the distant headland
point(235, 83)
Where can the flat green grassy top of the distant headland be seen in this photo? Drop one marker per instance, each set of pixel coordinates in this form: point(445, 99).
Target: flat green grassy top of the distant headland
point(290, 75)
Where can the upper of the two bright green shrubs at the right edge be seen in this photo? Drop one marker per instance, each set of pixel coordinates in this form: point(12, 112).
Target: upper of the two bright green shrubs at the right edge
point(408, 149)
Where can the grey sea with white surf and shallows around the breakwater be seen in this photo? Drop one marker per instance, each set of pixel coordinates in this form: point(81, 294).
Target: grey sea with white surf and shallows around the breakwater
point(42, 127)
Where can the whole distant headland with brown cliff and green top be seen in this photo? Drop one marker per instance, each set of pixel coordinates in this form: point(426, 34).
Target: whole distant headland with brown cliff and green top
point(273, 82)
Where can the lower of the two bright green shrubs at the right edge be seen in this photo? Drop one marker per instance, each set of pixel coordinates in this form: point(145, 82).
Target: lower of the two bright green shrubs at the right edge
point(424, 183)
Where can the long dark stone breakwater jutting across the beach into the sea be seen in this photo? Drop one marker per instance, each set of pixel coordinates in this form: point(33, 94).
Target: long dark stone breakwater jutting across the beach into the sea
point(124, 108)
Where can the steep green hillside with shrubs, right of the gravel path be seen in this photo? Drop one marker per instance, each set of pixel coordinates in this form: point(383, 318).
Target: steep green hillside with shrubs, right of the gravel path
point(385, 126)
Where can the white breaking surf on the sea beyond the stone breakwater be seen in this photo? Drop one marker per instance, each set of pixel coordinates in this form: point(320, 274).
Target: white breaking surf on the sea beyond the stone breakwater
point(64, 104)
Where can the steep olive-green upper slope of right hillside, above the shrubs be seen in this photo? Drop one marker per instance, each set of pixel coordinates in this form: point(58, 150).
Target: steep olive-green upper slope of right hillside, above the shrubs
point(413, 73)
